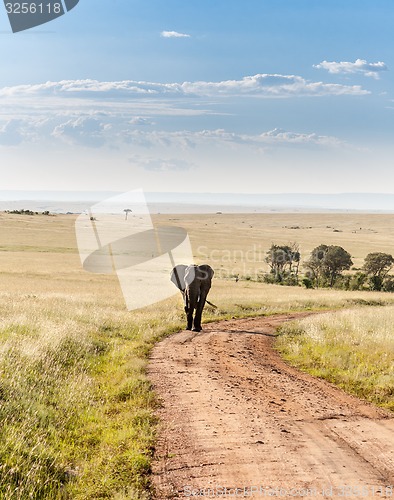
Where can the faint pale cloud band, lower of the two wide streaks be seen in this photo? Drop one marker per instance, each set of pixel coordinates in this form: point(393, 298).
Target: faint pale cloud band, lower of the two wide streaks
point(121, 133)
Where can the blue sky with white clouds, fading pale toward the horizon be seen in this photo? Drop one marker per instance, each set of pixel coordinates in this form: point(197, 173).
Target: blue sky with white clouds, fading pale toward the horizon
point(215, 96)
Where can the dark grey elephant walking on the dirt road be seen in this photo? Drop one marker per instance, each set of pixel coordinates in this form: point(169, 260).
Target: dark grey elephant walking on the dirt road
point(194, 282)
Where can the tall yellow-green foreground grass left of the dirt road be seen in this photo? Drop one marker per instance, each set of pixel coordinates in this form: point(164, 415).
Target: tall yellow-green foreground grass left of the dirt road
point(76, 408)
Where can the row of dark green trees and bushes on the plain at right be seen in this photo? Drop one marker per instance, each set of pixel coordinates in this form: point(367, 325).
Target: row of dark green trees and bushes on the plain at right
point(325, 268)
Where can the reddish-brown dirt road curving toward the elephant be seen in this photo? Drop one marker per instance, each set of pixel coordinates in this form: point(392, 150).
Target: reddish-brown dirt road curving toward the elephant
point(239, 422)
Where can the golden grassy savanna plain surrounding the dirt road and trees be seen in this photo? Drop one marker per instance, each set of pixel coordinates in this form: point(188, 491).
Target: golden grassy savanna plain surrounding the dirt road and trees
point(77, 410)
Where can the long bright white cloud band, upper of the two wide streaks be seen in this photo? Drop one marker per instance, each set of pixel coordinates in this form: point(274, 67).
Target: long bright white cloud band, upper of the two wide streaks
point(260, 85)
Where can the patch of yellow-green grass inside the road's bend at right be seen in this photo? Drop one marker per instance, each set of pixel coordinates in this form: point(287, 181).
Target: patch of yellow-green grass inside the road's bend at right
point(354, 349)
